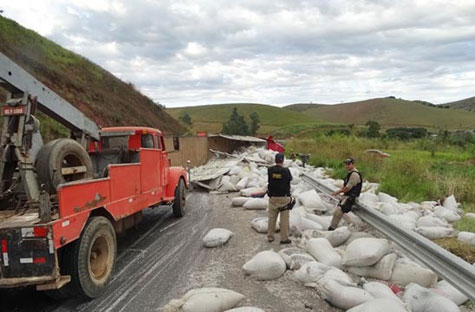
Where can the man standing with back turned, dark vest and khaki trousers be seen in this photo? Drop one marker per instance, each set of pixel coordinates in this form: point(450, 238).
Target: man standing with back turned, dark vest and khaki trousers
point(279, 197)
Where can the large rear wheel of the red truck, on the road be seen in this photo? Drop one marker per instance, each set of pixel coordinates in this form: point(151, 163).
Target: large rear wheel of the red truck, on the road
point(89, 261)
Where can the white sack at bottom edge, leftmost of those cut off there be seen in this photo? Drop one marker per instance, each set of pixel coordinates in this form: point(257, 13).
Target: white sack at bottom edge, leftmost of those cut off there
point(205, 300)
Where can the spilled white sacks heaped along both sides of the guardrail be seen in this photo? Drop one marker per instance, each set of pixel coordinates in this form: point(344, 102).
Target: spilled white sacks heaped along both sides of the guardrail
point(340, 263)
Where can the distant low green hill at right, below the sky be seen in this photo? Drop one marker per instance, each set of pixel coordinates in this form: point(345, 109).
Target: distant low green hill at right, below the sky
point(391, 112)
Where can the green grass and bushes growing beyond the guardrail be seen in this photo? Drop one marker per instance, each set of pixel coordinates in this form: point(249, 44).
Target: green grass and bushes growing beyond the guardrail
point(428, 168)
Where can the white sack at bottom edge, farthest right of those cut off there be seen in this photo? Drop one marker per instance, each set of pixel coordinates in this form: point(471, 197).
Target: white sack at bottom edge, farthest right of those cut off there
point(420, 299)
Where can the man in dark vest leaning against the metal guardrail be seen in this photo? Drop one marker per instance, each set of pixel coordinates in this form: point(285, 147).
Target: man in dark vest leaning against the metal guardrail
point(351, 190)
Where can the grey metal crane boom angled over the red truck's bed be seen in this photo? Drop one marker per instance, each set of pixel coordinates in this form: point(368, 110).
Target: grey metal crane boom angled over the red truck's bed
point(16, 80)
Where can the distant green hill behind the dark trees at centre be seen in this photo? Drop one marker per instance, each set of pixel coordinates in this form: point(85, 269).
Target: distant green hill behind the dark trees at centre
point(211, 117)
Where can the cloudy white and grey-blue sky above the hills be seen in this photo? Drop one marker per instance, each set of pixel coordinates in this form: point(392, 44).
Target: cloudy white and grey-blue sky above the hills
point(190, 52)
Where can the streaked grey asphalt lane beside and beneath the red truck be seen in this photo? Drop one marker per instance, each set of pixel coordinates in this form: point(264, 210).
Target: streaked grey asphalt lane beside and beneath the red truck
point(153, 259)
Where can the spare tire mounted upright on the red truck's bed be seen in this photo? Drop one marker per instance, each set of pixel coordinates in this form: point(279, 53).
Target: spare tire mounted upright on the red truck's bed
point(56, 157)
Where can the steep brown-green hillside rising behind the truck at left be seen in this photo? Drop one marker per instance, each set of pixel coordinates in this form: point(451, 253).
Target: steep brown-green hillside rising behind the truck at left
point(99, 94)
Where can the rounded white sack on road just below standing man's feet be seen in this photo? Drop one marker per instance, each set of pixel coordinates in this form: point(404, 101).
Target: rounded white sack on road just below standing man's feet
point(266, 265)
